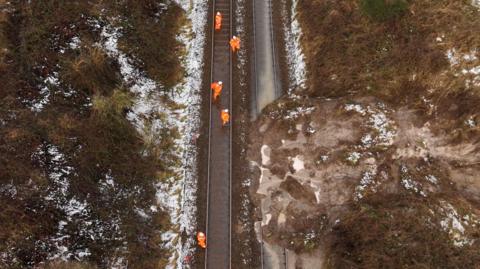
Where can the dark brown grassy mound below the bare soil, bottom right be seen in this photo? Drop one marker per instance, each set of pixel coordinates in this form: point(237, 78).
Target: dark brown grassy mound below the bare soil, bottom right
point(396, 231)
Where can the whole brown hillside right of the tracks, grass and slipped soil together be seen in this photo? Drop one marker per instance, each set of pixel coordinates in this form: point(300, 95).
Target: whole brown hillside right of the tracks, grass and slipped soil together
point(385, 174)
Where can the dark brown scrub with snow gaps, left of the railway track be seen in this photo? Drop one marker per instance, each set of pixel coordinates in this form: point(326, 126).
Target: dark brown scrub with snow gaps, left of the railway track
point(96, 139)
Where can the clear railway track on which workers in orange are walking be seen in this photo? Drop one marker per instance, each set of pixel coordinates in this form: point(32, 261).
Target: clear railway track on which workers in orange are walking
point(219, 175)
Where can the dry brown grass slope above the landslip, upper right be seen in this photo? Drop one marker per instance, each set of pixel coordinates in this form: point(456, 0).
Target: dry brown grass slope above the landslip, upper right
point(349, 54)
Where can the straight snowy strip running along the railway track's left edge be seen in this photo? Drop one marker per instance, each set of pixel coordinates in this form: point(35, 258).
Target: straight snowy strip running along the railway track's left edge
point(189, 95)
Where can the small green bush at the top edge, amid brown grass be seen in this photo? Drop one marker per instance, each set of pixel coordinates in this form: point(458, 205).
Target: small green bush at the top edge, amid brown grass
point(382, 10)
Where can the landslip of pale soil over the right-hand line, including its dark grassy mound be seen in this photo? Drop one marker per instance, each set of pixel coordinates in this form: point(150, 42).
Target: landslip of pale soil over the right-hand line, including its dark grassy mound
point(320, 164)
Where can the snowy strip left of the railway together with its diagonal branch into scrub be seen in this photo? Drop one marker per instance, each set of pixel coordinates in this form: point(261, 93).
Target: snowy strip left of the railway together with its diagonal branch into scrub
point(176, 194)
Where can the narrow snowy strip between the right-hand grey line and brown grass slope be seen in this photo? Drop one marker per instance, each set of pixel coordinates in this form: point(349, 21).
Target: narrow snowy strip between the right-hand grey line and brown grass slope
point(295, 56)
